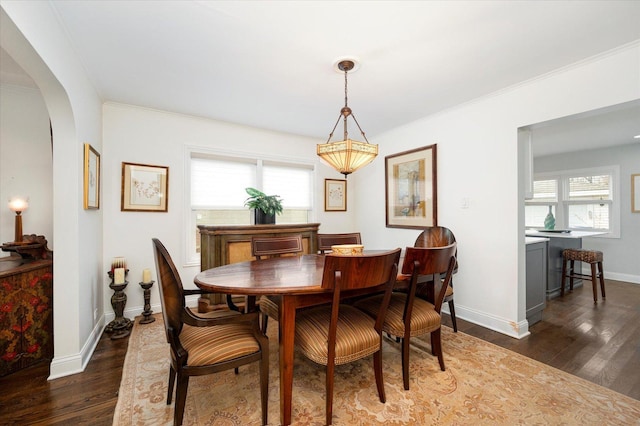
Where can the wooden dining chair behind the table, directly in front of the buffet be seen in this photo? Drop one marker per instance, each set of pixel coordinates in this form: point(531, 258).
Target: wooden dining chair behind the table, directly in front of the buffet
point(268, 247)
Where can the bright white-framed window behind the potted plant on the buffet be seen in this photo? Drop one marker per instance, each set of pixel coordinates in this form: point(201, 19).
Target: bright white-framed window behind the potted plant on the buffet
point(217, 192)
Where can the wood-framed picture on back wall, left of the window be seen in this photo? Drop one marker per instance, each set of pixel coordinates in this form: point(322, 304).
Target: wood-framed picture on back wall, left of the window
point(144, 188)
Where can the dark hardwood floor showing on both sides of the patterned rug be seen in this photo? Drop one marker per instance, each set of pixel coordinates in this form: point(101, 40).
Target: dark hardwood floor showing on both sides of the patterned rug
point(600, 343)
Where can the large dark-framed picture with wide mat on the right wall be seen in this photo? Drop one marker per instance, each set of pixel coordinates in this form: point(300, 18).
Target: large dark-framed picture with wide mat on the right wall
point(411, 188)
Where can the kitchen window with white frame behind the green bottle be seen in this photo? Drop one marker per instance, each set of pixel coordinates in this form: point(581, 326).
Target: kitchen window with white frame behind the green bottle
point(585, 200)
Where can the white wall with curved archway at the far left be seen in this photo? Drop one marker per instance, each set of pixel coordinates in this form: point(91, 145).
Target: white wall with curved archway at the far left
point(32, 36)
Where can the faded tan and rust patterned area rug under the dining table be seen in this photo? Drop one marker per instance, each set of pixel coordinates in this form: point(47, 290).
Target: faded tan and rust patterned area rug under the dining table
point(482, 384)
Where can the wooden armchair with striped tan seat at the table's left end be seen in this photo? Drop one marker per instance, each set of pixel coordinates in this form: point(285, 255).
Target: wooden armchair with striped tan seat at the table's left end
point(201, 346)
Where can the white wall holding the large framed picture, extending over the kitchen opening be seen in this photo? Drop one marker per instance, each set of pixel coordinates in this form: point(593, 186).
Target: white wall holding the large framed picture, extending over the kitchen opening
point(478, 159)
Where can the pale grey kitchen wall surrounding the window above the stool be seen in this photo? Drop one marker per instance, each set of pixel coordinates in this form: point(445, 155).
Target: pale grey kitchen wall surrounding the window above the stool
point(620, 254)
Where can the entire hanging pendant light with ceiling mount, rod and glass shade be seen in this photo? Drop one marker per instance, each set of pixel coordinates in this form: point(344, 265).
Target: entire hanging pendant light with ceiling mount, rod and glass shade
point(348, 155)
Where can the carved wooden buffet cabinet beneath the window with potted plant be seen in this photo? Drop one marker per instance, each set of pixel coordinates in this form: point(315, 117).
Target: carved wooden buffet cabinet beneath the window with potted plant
point(222, 245)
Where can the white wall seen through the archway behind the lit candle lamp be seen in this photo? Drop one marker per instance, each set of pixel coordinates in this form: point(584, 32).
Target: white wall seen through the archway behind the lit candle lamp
point(26, 163)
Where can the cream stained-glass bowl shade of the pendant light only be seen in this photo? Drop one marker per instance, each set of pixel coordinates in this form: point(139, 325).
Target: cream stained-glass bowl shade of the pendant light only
point(347, 156)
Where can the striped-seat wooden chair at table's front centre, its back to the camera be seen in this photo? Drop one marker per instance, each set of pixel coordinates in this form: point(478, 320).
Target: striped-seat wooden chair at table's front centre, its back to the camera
point(338, 333)
